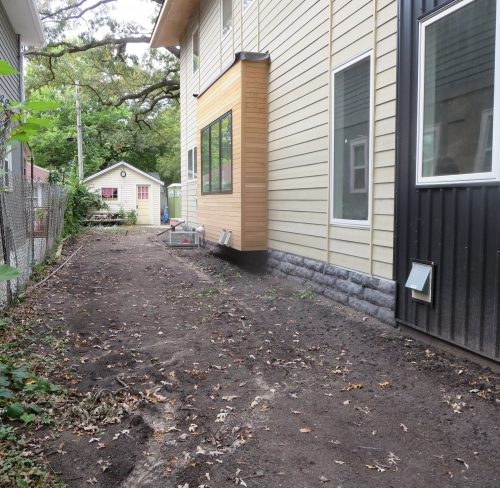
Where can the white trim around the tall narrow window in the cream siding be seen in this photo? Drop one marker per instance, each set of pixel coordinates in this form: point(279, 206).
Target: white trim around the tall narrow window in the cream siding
point(363, 224)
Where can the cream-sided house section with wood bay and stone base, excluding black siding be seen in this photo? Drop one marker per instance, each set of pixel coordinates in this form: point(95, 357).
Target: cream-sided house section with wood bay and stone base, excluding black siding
point(309, 88)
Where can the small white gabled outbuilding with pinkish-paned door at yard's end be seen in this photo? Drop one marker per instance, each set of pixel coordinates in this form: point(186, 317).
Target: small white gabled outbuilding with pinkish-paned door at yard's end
point(122, 186)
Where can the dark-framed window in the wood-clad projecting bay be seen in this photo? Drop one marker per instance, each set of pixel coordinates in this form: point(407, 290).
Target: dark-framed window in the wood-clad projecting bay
point(217, 156)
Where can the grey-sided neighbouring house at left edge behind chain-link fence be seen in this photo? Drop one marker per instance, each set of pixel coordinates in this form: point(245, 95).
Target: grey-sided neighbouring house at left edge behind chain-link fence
point(19, 26)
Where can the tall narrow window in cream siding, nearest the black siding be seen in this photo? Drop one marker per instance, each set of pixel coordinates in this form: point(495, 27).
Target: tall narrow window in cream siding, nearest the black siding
point(351, 141)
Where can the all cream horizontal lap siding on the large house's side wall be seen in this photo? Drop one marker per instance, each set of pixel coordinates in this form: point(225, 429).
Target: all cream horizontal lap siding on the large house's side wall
point(297, 35)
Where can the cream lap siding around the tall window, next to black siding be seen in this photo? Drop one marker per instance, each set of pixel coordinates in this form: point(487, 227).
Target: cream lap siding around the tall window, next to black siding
point(356, 24)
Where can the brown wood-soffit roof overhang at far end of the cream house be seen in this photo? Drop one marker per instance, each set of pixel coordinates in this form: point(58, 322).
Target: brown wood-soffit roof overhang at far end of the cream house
point(172, 22)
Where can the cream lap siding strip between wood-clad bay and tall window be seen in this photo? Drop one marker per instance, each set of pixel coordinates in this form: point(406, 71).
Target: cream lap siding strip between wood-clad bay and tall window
point(296, 35)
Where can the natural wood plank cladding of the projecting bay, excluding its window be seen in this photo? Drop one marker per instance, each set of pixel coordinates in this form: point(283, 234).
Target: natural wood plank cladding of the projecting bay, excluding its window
point(242, 90)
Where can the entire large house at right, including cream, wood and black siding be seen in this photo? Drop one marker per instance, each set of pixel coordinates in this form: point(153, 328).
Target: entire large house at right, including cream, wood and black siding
point(289, 119)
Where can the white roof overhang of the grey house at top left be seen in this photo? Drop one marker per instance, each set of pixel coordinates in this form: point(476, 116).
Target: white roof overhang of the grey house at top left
point(25, 20)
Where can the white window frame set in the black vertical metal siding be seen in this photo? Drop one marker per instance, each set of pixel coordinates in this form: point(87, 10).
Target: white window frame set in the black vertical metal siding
point(444, 180)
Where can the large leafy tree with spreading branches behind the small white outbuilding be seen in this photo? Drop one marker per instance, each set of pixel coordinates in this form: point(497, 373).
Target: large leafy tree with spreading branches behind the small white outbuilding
point(129, 104)
